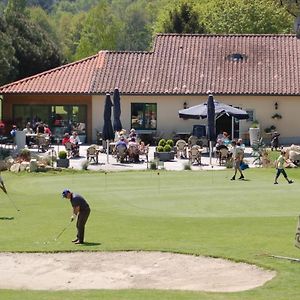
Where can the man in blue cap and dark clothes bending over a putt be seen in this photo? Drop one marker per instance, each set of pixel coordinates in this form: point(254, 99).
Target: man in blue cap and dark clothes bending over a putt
point(81, 210)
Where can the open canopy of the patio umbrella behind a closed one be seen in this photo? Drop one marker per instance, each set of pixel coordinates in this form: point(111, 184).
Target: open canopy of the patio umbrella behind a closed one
point(200, 111)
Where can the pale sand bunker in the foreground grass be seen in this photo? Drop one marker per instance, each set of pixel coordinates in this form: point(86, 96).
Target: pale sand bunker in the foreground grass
point(127, 270)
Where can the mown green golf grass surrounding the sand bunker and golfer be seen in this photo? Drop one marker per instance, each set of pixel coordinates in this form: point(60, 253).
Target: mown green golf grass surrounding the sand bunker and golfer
point(197, 212)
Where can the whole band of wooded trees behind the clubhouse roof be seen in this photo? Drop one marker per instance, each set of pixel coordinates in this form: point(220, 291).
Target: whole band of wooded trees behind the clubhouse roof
point(37, 35)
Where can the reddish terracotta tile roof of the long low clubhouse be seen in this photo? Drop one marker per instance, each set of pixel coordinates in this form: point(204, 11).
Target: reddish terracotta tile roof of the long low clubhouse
point(181, 64)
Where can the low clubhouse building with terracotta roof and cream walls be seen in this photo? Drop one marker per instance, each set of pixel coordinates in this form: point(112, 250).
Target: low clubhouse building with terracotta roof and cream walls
point(258, 73)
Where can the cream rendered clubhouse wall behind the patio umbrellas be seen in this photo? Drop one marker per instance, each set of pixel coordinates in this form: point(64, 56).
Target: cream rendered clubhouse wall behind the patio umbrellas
point(168, 121)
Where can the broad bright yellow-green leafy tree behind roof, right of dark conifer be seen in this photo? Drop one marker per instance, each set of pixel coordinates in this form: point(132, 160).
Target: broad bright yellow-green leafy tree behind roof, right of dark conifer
point(242, 16)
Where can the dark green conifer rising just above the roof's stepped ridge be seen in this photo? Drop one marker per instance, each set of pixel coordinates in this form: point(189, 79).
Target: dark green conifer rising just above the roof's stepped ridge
point(181, 19)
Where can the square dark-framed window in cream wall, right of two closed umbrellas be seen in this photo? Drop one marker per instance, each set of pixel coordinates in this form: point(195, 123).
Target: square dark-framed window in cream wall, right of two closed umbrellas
point(144, 116)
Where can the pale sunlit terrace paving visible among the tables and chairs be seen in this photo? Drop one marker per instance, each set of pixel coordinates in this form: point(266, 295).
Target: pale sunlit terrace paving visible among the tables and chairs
point(113, 165)
